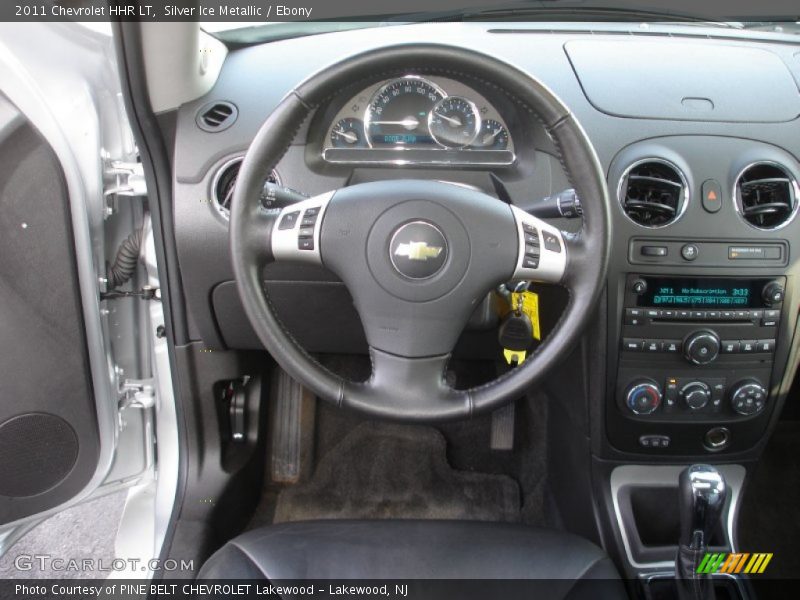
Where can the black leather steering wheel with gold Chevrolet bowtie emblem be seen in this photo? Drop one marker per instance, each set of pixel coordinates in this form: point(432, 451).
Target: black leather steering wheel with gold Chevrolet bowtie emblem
point(418, 256)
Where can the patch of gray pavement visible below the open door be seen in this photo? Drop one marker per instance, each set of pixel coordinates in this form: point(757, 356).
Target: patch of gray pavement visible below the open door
point(86, 531)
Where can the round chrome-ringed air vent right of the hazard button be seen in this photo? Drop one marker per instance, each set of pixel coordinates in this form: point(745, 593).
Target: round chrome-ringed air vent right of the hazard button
point(766, 195)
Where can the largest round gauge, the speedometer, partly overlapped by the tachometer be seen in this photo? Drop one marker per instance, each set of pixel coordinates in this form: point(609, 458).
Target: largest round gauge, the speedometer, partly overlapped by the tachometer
point(398, 113)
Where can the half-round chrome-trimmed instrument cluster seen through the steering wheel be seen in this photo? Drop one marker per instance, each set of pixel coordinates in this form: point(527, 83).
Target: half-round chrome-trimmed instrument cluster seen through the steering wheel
point(419, 120)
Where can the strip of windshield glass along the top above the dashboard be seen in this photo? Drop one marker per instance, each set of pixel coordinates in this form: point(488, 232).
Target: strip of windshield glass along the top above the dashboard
point(281, 22)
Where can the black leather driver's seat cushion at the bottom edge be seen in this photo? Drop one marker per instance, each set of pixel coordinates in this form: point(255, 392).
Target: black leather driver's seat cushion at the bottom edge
point(419, 550)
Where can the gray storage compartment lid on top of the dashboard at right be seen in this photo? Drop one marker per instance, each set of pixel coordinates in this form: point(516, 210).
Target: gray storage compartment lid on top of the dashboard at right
point(661, 80)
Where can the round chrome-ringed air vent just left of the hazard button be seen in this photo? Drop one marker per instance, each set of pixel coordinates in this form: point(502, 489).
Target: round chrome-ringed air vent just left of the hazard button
point(653, 193)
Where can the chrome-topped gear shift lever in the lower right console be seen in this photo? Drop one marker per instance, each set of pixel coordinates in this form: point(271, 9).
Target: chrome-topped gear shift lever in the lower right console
point(702, 498)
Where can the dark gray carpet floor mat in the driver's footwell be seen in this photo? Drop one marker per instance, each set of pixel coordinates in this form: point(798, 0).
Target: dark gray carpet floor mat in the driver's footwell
point(381, 471)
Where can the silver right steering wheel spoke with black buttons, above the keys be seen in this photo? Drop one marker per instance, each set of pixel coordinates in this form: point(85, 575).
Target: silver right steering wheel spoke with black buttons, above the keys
point(542, 249)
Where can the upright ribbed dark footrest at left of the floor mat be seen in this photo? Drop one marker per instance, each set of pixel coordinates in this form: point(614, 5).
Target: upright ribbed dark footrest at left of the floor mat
point(291, 428)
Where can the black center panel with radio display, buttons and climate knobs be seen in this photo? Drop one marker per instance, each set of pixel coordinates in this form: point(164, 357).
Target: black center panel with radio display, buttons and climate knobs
point(695, 362)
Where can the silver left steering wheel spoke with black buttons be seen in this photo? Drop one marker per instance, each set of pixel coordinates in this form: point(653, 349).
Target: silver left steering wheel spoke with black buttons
point(295, 233)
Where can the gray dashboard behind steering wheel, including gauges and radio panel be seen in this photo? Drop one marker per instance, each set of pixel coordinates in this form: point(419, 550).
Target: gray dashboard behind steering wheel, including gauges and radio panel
point(702, 172)
